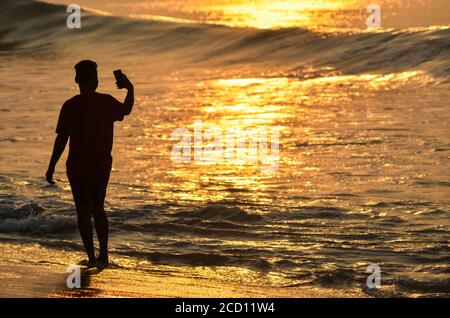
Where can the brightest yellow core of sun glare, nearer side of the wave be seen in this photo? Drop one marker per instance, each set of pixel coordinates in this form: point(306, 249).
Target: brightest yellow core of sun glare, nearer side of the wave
point(242, 105)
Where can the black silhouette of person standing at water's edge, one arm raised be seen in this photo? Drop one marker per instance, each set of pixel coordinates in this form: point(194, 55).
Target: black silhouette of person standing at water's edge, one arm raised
point(88, 120)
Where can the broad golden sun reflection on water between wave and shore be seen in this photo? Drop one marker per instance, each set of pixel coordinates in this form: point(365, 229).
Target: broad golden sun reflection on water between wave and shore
point(318, 124)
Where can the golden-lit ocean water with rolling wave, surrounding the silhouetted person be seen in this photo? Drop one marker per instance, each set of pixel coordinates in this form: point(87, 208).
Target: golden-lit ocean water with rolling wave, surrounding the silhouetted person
point(363, 116)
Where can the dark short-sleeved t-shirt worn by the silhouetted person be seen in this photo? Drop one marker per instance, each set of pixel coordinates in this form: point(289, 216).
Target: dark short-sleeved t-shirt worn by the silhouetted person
point(89, 121)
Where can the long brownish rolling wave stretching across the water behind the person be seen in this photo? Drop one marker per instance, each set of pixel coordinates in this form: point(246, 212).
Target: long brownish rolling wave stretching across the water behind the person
point(30, 25)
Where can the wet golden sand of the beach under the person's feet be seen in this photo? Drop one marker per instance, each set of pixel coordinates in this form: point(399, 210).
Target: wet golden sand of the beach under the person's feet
point(30, 276)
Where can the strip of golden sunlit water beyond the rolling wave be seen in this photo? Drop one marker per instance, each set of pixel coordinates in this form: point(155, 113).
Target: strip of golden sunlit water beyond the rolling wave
point(274, 14)
